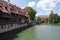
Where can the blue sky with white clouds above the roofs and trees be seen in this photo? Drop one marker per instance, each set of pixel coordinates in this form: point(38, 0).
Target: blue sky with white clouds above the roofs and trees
point(43, 7)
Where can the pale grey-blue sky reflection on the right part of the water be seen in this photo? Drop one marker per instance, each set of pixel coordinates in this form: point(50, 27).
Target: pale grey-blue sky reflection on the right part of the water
point(47, 32)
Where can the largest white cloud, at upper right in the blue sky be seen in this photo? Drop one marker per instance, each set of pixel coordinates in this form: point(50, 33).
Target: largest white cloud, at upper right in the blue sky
point(47, 5)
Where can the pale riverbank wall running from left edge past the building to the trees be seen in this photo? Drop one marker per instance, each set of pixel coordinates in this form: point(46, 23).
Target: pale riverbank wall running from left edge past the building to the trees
point(10, 27)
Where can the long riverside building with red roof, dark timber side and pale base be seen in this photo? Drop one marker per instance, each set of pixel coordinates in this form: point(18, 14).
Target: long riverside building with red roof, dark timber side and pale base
point(11, 16)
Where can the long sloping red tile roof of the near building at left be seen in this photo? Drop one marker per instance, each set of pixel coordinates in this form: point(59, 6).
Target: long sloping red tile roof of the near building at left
point(10, 8)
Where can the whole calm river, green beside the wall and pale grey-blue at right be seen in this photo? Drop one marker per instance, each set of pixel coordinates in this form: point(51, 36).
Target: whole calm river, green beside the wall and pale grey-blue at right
point(37, 32)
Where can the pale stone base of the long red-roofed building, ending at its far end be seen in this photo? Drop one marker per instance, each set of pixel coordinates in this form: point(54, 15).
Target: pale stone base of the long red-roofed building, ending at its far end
point(5, 28)
